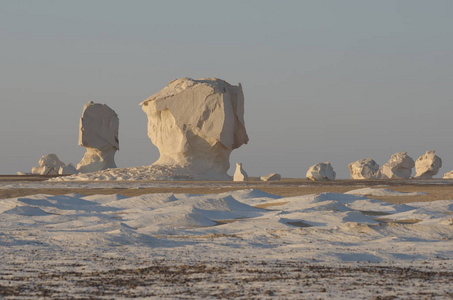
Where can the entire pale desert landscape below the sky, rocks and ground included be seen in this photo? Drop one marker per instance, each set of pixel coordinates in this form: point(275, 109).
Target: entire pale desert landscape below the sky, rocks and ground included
point(183, 228)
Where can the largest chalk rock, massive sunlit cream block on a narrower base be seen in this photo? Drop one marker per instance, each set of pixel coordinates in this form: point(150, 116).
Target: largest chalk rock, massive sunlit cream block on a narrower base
point(196, 124)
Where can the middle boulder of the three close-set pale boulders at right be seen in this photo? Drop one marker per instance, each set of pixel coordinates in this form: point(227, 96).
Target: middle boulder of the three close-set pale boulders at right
point(398, 167)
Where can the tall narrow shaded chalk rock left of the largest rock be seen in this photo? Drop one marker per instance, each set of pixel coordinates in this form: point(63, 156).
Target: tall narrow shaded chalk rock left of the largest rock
point(98, 133)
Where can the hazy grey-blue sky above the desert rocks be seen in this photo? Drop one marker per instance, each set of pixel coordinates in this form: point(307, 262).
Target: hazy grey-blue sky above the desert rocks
point(330, 81)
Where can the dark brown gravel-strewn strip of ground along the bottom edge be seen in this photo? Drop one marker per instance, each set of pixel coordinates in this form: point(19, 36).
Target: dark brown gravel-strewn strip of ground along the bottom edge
point(224, 279)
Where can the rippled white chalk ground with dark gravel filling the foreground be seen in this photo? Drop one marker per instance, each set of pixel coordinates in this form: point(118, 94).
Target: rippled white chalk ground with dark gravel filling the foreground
point(220, 245)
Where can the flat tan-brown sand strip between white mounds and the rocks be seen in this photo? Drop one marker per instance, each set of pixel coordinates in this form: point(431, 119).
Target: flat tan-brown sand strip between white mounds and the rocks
point(440, 189)
